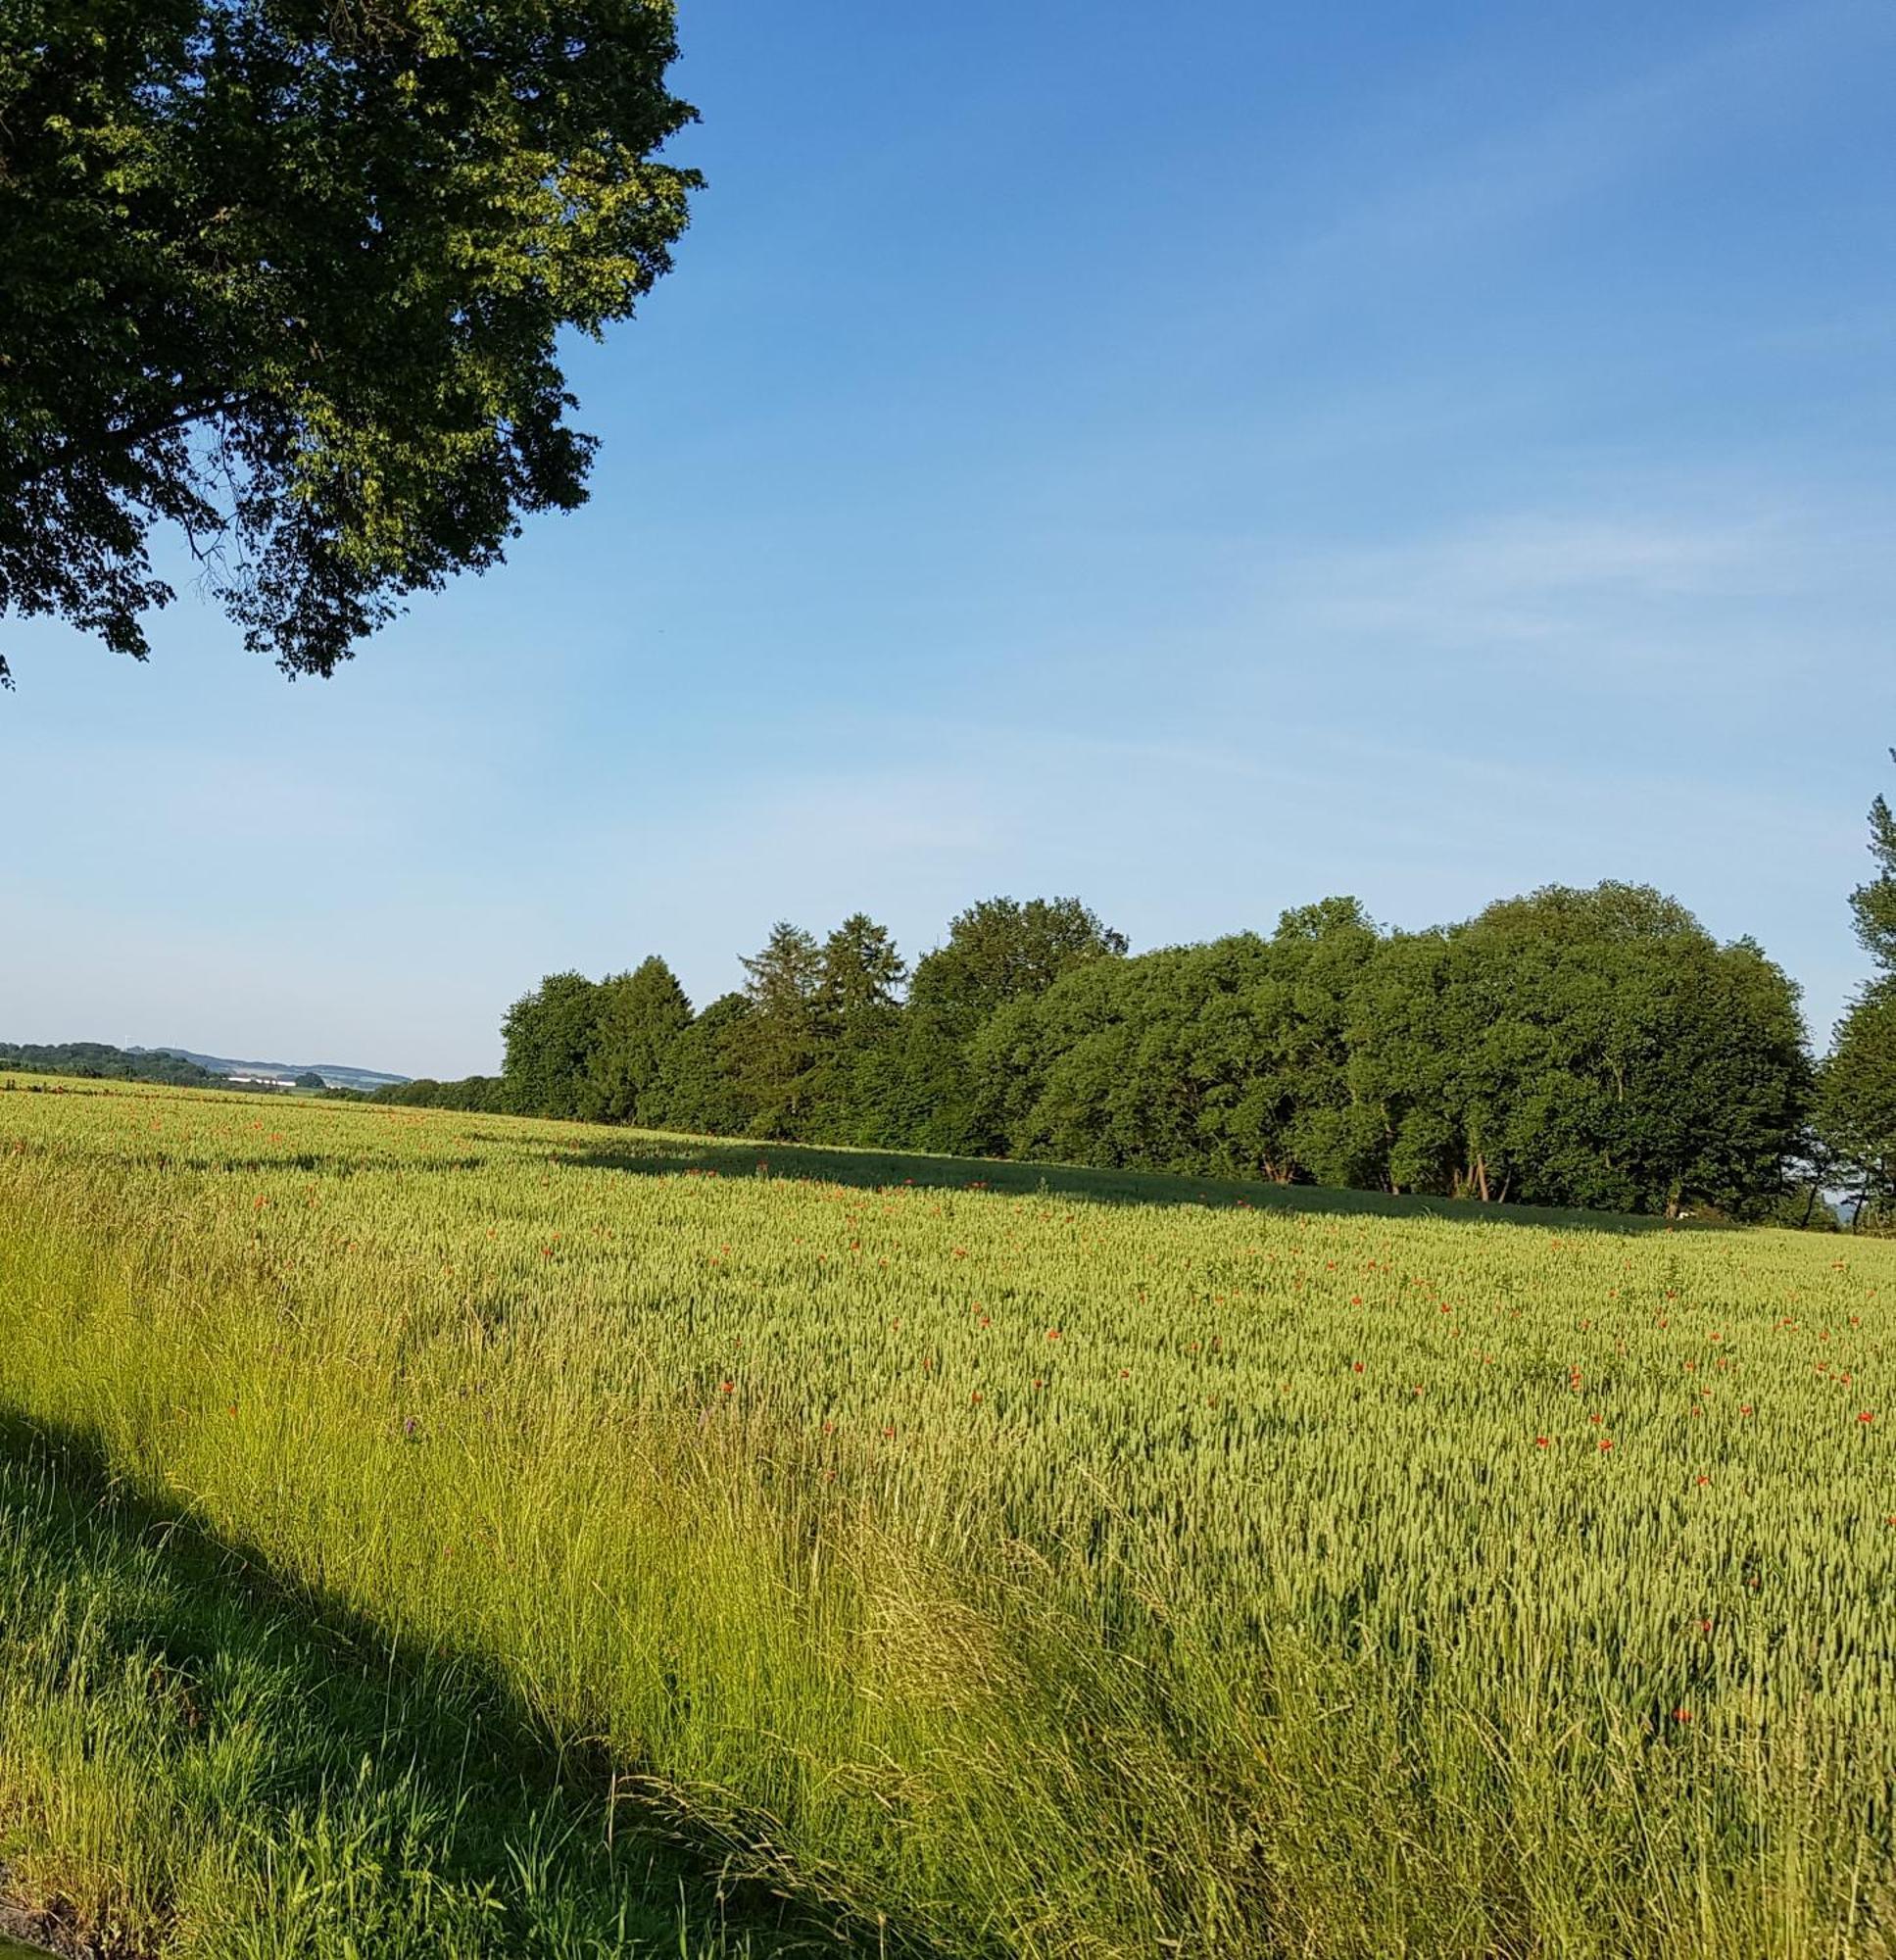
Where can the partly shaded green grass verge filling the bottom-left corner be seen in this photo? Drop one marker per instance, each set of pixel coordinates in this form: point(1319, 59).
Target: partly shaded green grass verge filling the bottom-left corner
point(193, 1751)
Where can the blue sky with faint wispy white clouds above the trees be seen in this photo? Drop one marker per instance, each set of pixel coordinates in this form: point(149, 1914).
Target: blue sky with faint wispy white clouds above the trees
point(1198, 458)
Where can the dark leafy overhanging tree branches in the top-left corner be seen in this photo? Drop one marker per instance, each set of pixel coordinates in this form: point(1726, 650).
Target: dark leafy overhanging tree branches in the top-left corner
point(291, 275)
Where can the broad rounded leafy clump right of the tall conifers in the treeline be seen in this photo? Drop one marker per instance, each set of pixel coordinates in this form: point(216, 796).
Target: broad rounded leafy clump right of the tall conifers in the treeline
point(1570, 1050)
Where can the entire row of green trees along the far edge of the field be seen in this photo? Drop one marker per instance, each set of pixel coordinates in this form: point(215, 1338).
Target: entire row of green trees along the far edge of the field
point(1568, 1050)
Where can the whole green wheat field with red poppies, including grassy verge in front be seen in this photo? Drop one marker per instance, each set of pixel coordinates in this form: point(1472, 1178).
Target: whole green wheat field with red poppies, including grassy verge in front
point(573, 1542)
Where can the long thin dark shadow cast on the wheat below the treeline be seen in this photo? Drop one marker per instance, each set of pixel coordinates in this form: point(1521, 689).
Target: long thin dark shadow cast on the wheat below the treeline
point(657, 1155)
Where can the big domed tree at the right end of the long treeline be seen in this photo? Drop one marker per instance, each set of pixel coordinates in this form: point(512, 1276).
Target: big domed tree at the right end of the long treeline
point(1582, 1050)
